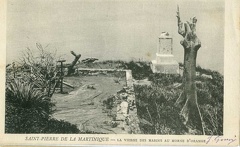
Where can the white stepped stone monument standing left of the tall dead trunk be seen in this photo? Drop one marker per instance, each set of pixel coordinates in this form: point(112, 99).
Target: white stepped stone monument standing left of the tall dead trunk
point(165, 62)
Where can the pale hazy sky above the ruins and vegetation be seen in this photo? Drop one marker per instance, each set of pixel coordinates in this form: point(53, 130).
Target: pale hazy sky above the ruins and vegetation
point(113, 29)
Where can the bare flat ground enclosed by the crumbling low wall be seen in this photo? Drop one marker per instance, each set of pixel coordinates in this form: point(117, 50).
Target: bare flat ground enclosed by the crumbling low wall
point(83, 105)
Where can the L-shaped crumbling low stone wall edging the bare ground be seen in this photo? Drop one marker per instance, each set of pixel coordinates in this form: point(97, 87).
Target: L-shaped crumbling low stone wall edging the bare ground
point(126, 115)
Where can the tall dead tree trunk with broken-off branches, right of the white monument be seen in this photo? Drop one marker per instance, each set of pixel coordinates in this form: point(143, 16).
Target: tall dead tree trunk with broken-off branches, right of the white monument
point(188, 99)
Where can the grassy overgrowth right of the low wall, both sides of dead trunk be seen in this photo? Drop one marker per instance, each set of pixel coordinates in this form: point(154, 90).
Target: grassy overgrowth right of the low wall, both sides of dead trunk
point(156, 103)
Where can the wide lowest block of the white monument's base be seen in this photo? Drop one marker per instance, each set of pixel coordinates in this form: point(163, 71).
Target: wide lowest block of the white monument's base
point(167, 68)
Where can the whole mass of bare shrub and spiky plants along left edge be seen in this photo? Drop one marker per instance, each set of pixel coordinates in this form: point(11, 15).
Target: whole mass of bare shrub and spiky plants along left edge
point(28, 96)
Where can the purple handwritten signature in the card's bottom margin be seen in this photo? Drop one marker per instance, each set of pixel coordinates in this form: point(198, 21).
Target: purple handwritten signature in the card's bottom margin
point(218, 139)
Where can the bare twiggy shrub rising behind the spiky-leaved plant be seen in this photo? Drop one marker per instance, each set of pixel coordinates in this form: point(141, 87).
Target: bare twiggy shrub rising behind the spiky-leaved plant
point(44, 73)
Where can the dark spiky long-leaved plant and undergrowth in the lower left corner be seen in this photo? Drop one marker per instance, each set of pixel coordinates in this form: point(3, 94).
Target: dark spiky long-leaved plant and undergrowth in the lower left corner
point(28, 110)
